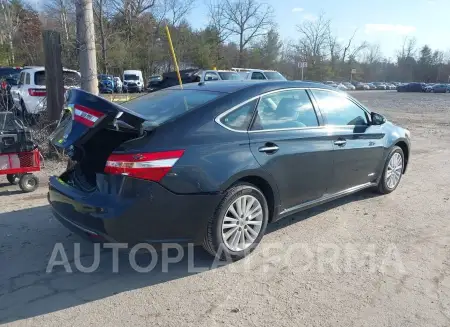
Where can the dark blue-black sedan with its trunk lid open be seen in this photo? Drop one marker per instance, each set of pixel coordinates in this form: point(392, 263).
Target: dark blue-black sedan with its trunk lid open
point(214, 163)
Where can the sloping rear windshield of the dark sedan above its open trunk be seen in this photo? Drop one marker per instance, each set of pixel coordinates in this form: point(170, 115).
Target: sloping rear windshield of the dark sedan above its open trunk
point(161, 106)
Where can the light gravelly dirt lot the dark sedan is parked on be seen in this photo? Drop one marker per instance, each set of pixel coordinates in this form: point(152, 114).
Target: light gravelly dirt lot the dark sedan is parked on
point(301, 275)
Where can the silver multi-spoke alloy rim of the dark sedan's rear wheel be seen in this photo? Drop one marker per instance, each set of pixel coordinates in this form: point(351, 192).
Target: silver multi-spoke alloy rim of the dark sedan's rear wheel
point(242, 223)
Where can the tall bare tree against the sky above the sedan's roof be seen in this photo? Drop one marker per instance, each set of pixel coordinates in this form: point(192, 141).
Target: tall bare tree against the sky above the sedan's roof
point(248, 20)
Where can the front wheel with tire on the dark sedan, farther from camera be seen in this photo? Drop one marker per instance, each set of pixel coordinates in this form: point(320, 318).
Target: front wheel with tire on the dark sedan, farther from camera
point(392, 171)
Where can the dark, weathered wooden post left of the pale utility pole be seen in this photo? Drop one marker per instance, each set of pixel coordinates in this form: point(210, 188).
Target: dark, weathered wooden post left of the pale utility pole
point(54, 81)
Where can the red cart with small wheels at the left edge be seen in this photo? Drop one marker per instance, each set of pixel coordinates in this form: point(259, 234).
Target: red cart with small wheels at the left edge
point(19, 167)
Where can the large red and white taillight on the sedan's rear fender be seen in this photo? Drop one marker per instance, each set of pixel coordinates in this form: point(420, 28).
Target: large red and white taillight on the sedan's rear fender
point(151, 166)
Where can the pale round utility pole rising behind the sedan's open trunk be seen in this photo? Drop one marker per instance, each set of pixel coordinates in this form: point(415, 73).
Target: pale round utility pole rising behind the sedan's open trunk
point(86, 43)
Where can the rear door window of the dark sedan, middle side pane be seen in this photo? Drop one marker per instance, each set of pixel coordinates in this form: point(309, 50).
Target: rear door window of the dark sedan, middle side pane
point(285, 109)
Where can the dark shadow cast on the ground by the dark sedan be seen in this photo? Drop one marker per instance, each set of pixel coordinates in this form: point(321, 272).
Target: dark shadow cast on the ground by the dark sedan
point(28, 238)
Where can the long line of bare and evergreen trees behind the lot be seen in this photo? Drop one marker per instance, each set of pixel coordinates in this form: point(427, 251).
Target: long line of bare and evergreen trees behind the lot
point(237, 33)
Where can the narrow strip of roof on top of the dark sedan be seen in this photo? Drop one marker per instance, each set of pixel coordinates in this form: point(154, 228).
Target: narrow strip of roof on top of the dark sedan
point(263, 86)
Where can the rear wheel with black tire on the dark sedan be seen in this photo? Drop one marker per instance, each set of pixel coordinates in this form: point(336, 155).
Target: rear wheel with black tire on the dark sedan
point(238, 224)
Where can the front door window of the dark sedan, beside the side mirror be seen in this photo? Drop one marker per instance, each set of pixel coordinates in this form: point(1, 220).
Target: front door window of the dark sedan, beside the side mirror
point(339, 110)
